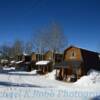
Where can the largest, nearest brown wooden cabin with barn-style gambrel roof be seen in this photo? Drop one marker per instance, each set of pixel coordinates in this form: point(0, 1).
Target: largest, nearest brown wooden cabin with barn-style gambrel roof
point(76, 63)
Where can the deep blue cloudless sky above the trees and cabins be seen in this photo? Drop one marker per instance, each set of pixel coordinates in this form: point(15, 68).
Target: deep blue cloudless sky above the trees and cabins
point(79, 18)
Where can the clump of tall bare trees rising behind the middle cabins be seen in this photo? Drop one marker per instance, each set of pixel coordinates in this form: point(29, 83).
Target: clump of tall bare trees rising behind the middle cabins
point(51, 37)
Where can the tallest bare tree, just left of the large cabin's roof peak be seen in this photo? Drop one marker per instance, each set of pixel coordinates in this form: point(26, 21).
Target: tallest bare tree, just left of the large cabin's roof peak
point(57, 39)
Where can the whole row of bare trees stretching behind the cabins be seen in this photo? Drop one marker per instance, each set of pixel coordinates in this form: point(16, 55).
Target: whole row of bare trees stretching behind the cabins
point(51, 38)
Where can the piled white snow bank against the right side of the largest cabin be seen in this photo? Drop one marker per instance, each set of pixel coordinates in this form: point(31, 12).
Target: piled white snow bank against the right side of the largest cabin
point(93, 77)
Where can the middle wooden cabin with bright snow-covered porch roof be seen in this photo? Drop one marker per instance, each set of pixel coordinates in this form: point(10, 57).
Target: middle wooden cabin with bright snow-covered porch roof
point(51, 58)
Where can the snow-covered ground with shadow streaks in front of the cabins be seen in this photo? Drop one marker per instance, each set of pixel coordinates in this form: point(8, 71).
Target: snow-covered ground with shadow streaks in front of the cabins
point(19, 85)
